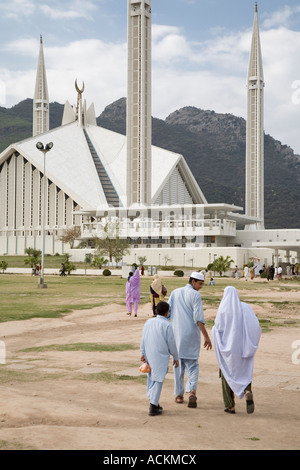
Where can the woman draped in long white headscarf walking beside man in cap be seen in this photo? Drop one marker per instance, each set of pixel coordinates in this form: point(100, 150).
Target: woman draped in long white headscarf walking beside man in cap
point(236, 334)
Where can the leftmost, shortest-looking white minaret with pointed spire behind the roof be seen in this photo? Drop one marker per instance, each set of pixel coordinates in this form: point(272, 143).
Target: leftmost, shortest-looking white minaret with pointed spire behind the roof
point(41, 98)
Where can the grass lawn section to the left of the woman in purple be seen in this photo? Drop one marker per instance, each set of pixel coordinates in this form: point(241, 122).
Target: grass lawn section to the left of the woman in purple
point(22, 299)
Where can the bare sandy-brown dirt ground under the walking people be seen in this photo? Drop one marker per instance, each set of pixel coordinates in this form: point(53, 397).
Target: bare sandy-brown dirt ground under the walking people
point(54, 400)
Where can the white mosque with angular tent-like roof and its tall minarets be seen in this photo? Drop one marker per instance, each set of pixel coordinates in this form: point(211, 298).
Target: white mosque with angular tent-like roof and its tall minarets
point(92, 177)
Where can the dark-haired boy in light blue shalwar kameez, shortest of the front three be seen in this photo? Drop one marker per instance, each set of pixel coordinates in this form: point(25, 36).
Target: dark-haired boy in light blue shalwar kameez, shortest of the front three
point(157, 344)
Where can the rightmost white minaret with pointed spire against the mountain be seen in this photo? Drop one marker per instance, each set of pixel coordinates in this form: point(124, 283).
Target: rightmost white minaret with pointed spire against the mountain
point(255, 130)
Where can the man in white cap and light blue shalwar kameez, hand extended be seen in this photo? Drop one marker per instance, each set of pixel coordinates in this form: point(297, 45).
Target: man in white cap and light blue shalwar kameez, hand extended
point(187, 320)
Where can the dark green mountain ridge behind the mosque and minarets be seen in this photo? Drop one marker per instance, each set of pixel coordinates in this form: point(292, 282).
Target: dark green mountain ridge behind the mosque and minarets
point(213, 145)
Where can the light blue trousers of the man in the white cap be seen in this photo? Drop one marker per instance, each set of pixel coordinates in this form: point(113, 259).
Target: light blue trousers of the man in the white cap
point(191, 367)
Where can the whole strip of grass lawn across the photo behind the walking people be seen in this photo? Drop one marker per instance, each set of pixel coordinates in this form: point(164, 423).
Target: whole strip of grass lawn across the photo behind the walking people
point(21, 298)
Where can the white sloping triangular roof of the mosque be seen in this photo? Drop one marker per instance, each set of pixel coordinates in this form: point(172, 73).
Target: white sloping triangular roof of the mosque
point(70, 165)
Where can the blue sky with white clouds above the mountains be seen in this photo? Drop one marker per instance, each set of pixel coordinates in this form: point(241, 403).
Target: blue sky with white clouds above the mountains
point(200, 53)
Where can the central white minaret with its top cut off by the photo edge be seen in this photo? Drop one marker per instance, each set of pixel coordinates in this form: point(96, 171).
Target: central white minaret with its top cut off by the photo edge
point(138, 121)
